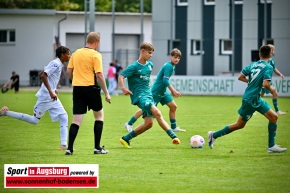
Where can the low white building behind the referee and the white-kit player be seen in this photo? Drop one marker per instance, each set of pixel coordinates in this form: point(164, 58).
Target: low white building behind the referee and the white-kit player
point(28, 38)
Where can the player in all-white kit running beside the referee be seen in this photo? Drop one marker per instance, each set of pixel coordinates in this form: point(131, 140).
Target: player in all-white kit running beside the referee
point(47, 97)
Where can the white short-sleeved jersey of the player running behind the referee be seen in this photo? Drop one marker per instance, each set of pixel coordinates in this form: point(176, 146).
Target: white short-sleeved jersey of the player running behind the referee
point(53, 71)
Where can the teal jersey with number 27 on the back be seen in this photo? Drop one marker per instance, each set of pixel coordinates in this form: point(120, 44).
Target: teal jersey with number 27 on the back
point(257, 72)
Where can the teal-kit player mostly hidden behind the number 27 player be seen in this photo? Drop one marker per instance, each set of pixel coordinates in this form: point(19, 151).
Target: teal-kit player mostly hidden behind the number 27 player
point(275, 93)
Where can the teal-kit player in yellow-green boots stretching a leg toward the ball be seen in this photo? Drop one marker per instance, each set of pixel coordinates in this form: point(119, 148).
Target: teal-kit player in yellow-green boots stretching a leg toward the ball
point(138, 76)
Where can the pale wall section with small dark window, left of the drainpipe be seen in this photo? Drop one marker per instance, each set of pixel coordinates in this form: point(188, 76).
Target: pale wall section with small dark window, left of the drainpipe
point(33, 48)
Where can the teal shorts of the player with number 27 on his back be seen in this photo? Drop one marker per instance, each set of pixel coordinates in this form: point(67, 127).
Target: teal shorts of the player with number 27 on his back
point(247, 109)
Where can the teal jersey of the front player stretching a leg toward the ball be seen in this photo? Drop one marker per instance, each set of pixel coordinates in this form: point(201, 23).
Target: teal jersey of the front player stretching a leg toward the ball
point(138, 76)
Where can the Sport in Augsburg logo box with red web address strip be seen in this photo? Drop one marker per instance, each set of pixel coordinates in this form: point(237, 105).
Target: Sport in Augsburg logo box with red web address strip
point(51, 175)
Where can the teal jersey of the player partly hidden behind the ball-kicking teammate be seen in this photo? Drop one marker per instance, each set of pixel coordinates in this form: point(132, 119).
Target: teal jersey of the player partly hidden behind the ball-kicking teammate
point(161, 83)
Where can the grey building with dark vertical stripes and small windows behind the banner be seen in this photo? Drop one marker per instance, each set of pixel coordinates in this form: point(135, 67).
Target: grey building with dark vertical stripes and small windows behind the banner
point(209, 26)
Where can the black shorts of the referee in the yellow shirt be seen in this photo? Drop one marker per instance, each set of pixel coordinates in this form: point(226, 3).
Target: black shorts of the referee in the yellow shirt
point(86, 98)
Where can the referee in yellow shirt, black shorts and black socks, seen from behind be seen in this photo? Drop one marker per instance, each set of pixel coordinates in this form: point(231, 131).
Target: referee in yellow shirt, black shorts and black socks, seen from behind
point(85, 69)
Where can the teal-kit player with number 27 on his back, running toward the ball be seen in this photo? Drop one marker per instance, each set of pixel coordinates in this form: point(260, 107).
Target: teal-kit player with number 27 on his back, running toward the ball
point(259, 75)
